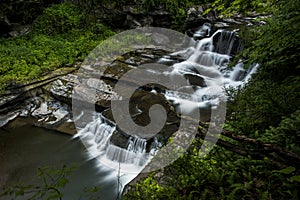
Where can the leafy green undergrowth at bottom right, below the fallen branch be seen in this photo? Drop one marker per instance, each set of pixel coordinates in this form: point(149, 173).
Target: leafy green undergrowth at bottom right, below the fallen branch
point(220, 175)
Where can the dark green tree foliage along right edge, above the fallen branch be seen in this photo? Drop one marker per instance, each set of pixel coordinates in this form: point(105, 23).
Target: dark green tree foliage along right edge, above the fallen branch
point(274, 93)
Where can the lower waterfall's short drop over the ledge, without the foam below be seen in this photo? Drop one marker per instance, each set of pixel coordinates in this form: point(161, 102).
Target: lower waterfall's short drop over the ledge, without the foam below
point(96, 136)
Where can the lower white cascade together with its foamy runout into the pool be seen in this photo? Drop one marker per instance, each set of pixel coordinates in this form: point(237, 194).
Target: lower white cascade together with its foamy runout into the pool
point(96, 137)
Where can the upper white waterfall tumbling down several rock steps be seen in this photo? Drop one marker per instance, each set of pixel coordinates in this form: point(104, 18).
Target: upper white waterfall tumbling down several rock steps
point(208, 63)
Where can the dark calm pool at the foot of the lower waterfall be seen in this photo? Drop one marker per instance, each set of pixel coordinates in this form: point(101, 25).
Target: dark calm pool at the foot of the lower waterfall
point(24, 148)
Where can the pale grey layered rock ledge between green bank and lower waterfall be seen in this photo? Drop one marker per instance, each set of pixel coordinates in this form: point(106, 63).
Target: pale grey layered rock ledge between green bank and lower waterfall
point(93, 85)
